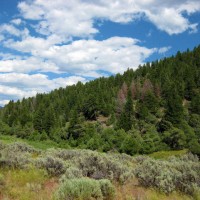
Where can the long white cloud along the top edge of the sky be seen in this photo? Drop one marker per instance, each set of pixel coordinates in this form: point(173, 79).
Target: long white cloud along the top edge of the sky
point(76, 18)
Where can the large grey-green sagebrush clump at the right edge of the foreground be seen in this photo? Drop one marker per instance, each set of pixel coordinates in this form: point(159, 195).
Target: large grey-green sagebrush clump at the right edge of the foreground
point(182, 173)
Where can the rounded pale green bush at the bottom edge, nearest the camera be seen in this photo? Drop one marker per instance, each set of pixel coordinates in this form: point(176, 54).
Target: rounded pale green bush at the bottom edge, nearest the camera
point(85, 189)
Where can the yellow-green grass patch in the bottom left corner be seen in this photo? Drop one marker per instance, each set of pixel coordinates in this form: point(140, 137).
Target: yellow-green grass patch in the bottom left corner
point(25, 184)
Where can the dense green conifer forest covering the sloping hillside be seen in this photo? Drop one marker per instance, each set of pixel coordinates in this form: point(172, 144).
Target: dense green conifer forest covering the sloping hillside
point(156, 107)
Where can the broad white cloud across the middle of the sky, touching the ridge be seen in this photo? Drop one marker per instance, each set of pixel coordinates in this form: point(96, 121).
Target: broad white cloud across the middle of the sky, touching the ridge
point(84, 57)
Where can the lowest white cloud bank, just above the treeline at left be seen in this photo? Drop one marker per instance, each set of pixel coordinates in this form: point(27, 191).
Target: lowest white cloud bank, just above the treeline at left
point(18, 85)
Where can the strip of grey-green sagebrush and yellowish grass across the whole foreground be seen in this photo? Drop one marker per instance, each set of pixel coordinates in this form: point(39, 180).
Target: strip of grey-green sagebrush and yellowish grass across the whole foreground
point(31, 173)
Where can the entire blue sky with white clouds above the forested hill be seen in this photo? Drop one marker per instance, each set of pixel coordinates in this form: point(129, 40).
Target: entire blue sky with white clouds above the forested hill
point(47, 44)
